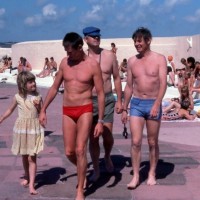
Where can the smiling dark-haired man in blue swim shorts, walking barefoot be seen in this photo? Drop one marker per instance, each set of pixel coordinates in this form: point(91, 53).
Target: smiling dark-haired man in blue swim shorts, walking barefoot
point(146, 86)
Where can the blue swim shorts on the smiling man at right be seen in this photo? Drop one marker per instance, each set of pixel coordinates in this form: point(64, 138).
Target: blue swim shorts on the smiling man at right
point(142, 108)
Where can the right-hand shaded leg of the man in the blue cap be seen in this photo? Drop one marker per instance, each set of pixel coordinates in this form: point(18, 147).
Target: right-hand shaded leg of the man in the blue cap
point(108, 142)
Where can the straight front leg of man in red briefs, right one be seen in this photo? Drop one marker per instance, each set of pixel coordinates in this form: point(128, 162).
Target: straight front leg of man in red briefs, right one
point(83, 129)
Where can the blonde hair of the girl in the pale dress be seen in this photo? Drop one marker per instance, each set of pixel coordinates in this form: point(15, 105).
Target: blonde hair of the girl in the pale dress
point(22, 79)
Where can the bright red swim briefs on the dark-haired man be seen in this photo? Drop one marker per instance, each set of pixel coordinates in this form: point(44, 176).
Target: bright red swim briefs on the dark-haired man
point(75, 112)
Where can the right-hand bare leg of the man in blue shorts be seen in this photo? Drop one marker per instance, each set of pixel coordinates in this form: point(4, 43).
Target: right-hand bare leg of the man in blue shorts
point(153, 127)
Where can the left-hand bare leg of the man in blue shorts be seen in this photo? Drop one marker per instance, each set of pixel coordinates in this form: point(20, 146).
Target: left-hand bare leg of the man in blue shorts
point(136, 126)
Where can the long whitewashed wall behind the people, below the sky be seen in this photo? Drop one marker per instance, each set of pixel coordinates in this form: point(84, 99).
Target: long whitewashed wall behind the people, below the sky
point(35, 52)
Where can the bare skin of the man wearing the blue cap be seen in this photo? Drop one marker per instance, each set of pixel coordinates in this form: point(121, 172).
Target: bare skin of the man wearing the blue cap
point(109, 66)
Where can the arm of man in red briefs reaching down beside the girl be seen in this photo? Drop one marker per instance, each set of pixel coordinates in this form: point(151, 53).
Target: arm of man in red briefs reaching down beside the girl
point(50, 96)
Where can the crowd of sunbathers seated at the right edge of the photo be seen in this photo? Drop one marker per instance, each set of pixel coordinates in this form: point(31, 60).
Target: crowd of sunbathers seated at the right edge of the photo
point(186, 79)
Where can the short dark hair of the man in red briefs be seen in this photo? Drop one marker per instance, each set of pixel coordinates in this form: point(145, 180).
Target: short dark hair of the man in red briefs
point(73, 39)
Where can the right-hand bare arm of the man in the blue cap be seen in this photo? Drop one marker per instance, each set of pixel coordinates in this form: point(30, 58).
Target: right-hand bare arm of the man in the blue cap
point(118, 85)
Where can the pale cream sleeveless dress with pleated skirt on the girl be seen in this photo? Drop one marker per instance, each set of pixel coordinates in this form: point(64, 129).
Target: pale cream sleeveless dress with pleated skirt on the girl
point(28, 134)
